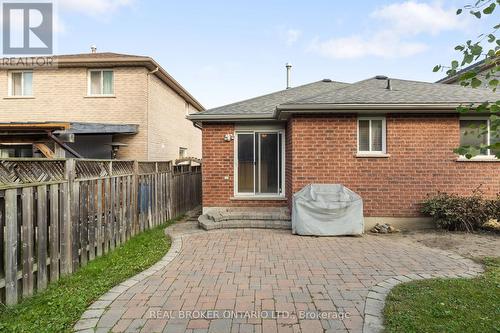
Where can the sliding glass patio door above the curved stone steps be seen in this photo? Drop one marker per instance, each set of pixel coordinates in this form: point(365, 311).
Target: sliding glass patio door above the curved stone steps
point(259, 166)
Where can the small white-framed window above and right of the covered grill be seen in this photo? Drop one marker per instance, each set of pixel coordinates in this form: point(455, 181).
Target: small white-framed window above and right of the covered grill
point(371, 135)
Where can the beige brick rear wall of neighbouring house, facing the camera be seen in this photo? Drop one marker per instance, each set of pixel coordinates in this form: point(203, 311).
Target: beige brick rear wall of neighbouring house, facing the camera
point(61, 95)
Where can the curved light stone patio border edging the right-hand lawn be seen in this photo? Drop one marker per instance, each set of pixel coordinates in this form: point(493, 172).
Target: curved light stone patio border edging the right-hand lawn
point(373, 321)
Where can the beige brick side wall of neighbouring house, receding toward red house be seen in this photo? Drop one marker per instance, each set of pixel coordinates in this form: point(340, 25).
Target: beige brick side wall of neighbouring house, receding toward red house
point(168, 127)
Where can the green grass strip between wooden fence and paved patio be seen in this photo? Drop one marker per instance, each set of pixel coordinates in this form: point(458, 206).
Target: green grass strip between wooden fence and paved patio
point(60, 306)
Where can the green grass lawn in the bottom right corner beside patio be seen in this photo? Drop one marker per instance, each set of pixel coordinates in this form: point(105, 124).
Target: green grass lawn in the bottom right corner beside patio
point(447, 305)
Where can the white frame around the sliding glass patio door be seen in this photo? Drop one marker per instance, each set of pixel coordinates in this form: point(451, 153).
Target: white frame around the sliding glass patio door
point(250, 196)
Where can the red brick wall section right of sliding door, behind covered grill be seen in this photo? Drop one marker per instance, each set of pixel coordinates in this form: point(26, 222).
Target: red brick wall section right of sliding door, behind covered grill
point(421, 161)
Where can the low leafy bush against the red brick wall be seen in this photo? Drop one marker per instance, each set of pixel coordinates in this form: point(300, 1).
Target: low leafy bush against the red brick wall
point(461, 213)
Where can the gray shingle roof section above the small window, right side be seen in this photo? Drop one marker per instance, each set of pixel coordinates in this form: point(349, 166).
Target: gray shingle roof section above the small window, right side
point(374, 91)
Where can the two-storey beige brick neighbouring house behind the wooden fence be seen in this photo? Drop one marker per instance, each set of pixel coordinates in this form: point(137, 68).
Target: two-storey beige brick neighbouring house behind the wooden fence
point(93, 102)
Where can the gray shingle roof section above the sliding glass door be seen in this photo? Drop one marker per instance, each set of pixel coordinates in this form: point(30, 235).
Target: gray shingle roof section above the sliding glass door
point(266, 104)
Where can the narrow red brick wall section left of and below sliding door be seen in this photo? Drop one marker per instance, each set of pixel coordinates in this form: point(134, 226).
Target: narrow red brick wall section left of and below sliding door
point(218, 162)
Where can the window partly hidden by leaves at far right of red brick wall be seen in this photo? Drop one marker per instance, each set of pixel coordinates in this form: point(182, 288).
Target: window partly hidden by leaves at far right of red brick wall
point(477, 132)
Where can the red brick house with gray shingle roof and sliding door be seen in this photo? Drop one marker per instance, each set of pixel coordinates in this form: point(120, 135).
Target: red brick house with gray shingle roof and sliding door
point(389, 140)
